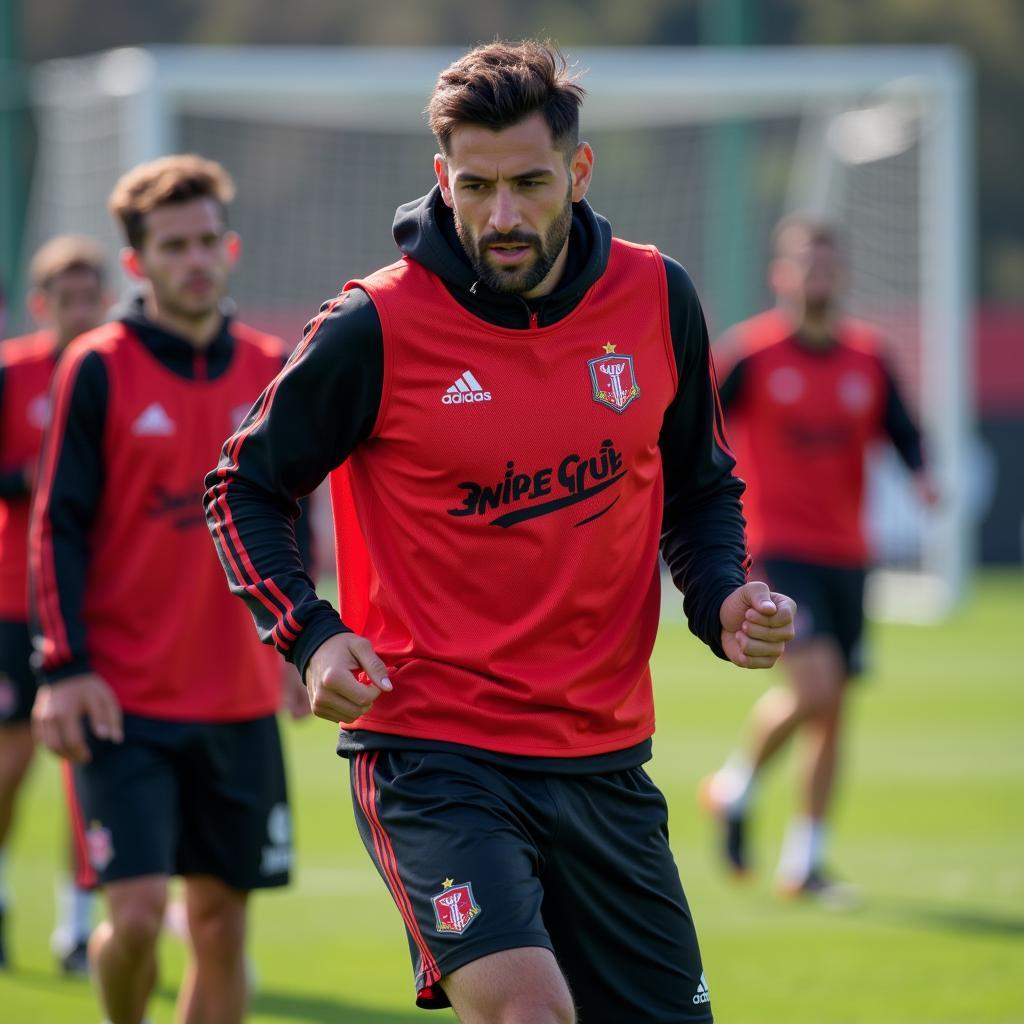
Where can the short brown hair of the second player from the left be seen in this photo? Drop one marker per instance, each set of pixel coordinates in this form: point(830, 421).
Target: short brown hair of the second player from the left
point(160, 183)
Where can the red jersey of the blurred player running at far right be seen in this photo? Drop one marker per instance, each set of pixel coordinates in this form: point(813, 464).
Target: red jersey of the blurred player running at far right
point(801, 418)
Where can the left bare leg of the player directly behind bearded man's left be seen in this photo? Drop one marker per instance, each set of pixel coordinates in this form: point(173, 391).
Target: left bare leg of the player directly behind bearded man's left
point(123, 949)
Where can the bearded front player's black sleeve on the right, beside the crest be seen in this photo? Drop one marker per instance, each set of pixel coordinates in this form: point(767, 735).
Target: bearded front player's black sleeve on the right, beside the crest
point(704, 539)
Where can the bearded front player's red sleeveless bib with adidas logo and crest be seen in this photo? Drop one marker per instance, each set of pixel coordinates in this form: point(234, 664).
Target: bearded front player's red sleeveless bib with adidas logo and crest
point(510, 495)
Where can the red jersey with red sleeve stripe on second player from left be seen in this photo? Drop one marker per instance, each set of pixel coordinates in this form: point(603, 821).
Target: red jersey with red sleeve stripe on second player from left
point(159, 625)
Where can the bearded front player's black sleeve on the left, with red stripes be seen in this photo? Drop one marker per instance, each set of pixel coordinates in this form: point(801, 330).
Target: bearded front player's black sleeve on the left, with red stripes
point(309, 421)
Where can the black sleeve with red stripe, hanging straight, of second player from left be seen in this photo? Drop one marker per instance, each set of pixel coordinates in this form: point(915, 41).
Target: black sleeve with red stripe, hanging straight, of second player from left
point(68, 495)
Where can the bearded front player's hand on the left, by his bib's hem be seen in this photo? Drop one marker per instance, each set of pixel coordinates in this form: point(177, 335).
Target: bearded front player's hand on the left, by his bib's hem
point(335, 694)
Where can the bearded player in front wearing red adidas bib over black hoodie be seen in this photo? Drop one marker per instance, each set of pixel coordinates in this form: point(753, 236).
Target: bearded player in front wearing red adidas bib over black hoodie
point(508, 414)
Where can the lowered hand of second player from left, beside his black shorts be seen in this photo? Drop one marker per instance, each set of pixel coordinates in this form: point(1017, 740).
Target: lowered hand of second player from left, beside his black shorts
point(60, 709)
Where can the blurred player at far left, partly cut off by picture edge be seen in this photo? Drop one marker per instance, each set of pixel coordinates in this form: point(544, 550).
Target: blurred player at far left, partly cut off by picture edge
point(67, 298)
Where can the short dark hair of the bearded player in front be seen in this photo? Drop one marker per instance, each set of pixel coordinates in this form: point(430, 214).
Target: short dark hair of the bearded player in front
point(499, 84)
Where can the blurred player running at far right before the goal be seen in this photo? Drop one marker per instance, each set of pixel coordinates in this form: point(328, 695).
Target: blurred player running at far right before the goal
point(807, 394)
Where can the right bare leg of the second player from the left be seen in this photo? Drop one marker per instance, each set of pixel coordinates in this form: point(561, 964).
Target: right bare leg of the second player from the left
point(215, 988)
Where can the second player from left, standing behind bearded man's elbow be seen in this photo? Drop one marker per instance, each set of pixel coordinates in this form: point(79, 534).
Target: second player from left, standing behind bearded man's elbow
point(180, 771)
